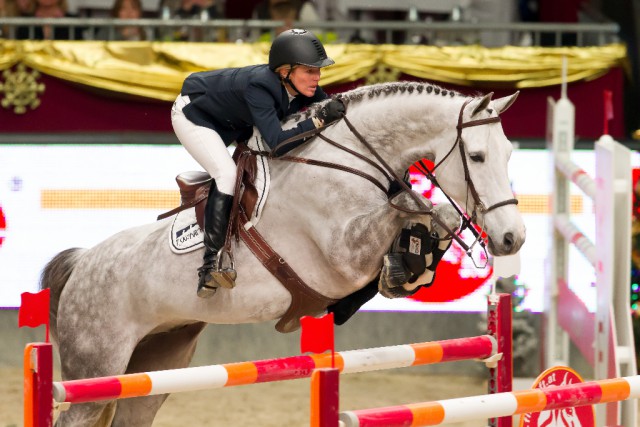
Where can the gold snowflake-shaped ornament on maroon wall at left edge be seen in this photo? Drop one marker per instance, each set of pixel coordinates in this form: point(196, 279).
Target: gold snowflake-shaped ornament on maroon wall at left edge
point(21, 89)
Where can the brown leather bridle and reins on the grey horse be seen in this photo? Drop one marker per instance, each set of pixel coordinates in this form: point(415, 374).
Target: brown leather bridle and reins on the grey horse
point(393, 178)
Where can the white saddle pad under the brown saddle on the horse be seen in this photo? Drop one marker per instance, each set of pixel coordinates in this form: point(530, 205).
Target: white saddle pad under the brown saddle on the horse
point(185, 234)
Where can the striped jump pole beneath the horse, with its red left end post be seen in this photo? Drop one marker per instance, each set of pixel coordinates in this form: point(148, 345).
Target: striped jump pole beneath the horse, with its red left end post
point(39, 390)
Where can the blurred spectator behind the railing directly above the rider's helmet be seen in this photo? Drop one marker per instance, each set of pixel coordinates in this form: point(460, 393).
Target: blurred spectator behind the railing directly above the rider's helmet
point(289, 11)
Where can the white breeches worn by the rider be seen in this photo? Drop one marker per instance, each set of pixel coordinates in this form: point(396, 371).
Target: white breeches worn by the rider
point(205, 146)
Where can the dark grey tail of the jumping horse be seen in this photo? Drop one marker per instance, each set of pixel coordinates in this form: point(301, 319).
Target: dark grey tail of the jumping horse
point(54, 276)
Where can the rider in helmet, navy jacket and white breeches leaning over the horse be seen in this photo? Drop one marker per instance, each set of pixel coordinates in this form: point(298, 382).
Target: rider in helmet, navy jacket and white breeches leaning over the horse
point(216, 108)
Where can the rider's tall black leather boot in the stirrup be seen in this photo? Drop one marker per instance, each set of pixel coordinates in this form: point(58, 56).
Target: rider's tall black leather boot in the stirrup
point(212, 275)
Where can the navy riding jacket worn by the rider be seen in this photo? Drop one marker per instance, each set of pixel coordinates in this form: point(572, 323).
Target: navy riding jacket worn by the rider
point(233, 100)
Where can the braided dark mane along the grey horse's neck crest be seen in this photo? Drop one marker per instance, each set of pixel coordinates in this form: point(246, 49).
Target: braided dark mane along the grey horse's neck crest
point(375, 91)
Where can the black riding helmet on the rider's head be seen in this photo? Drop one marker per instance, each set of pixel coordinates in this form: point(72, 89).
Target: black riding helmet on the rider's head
point(298, 47)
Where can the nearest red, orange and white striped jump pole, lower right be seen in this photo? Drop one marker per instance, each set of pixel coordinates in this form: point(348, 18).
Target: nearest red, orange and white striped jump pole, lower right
point(495, 405)
